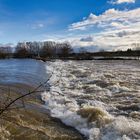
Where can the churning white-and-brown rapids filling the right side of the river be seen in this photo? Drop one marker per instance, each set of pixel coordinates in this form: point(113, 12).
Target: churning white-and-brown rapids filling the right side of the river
point(101, 99)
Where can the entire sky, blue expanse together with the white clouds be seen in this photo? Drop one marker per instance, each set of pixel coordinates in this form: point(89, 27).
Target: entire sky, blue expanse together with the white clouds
point(92, 24)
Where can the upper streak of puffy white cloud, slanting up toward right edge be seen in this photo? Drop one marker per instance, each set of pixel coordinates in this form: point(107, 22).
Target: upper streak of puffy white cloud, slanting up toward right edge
point(110, 18)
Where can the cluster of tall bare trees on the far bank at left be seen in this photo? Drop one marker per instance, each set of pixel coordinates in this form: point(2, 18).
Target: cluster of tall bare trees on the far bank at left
point(37, 50)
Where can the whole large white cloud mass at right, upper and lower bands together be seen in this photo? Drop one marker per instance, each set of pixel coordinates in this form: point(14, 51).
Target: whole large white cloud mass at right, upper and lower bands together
point(119, 30)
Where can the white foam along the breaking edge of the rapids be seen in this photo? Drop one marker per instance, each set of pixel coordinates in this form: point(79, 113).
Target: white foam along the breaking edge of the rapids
point(62, 101)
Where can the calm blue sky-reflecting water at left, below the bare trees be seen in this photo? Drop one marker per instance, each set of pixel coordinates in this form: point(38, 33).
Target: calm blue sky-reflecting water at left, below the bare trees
point(24, 71)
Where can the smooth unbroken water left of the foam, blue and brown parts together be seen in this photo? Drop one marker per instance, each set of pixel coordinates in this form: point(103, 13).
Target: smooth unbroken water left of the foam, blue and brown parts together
point(31, 121)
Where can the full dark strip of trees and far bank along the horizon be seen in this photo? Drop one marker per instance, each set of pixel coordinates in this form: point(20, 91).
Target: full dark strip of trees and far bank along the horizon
point(52, 50)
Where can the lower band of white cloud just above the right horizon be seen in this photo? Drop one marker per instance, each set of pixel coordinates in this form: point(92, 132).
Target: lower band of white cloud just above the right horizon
point(114, 40)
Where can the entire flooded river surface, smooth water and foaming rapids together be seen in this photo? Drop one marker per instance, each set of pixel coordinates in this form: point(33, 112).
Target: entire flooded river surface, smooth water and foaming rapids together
point(95, 100)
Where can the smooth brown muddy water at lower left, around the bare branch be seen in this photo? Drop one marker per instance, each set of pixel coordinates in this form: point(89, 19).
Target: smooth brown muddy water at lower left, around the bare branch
point(31, 121)
